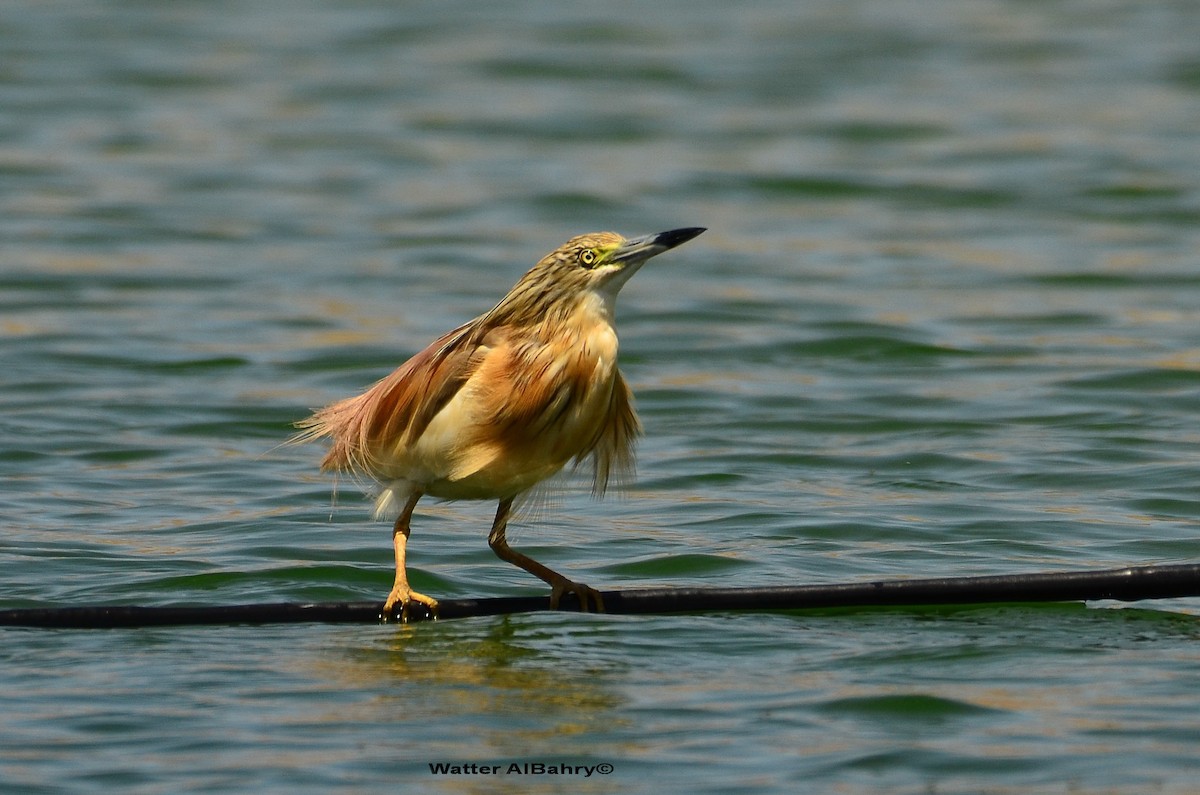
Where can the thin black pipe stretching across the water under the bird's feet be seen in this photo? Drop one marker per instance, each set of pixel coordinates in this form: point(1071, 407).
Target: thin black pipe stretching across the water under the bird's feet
point(1126, 585)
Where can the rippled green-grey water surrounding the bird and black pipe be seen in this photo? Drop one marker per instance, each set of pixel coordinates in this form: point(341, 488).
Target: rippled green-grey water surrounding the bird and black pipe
point(945, 322)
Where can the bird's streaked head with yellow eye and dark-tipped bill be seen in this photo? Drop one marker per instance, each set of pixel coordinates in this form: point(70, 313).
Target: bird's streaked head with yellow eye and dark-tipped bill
point(596, 265)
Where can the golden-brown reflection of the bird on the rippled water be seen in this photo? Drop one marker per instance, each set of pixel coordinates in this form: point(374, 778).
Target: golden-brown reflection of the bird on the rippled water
point(550, 685)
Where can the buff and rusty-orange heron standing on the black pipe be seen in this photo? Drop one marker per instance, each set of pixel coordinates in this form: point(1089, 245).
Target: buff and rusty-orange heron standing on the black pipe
point(499, 405)
